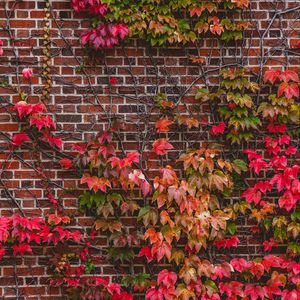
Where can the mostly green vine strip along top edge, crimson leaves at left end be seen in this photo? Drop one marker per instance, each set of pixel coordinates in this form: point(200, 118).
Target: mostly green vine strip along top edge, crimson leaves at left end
point(160, 22)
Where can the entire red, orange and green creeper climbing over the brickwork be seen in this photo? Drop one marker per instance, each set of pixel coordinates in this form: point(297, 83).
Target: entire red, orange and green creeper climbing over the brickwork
point(185, 219)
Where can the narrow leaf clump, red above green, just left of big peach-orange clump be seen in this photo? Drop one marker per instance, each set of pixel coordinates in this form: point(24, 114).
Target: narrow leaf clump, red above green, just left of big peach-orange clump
point(109, 178)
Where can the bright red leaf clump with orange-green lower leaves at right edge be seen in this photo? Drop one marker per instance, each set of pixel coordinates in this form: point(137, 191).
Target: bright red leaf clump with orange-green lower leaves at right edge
point(278, 219)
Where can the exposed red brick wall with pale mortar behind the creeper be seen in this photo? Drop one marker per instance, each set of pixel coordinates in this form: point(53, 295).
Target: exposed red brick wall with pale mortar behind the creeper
point(83, 104)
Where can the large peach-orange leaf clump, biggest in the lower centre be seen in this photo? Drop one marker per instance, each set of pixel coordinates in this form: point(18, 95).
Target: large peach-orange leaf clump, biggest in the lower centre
point(190, 208)
